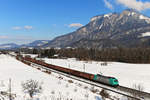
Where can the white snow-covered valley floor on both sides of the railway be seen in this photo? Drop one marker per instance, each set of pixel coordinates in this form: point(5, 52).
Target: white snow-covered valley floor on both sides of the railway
point(54, 87)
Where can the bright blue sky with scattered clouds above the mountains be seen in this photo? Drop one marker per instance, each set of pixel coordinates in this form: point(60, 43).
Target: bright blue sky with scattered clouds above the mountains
point(22, 21)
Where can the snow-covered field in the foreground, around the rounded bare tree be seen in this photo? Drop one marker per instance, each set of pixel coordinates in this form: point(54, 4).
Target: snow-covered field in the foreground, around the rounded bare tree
point(53, 88)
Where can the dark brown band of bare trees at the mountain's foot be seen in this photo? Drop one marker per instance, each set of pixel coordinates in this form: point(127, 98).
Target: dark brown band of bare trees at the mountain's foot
point(129, 55)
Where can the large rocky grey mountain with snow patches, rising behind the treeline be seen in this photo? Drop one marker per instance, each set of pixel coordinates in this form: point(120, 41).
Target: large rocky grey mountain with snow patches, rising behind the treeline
point(127, 29)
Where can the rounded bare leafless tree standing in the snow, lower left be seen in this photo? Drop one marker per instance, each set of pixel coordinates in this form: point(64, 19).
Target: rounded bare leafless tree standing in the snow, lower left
point(32, 87)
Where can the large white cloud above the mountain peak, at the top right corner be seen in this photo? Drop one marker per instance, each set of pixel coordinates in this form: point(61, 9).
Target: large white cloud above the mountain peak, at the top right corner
point(135, 4)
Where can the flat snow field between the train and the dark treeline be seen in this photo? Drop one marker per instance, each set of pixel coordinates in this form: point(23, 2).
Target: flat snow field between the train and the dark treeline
point(127, 74)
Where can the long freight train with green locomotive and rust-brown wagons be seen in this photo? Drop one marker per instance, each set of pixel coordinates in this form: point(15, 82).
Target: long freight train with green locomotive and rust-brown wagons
point(111, 81)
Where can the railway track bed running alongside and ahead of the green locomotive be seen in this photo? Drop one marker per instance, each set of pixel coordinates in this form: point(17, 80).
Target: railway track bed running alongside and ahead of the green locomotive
point(119, 90)
